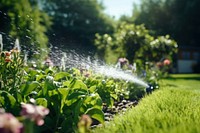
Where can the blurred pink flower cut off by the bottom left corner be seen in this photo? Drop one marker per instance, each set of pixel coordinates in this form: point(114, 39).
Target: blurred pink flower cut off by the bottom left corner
point(9, 124)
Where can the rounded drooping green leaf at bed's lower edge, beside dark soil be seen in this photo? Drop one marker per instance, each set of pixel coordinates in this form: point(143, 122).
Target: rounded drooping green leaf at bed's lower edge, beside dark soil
point(96, 114)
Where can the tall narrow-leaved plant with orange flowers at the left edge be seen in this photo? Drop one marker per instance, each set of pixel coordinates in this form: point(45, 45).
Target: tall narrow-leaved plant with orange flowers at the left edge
point(10, 74)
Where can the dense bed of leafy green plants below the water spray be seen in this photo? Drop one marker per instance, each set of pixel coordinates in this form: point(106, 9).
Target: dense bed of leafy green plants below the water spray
point(67, 94)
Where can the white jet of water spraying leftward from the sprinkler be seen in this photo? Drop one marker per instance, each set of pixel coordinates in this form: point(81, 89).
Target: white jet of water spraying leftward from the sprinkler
point(72, 59)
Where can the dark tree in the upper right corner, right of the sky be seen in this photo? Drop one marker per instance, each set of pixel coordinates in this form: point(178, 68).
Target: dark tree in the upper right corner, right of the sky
point(179, 18)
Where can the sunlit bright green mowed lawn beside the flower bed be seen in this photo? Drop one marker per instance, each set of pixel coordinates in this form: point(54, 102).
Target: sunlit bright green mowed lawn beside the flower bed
point(175, 108)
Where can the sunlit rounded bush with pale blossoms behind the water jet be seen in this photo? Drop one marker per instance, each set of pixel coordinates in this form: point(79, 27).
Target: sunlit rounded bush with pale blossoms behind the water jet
point(135, 43)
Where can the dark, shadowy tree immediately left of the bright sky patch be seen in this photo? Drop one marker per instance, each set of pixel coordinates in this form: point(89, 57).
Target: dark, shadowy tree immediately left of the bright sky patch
point(75, 22)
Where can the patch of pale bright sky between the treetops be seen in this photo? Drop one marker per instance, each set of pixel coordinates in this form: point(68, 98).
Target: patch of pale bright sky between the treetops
point(117, 8)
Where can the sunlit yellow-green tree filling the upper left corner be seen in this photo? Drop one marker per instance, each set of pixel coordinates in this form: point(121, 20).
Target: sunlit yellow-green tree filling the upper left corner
point(24, 20)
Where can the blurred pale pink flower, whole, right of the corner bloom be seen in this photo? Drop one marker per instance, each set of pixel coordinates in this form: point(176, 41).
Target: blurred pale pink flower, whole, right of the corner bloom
point(34, 113)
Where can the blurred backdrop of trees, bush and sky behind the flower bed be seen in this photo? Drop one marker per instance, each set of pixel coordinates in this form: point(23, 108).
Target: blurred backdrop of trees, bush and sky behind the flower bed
point(139, 30)
